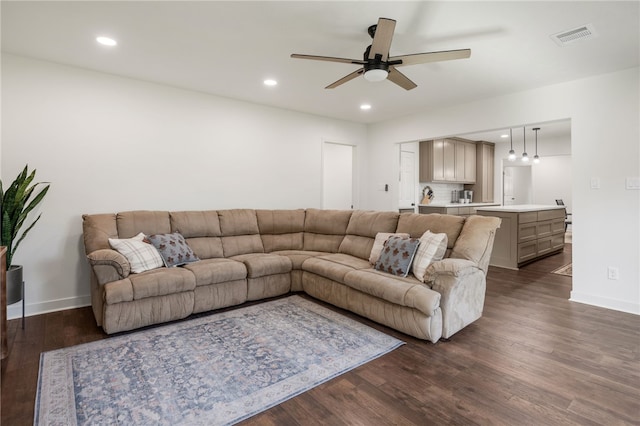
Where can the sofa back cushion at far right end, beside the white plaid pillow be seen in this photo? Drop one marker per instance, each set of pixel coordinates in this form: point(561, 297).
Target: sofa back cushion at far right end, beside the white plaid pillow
point(475, 242)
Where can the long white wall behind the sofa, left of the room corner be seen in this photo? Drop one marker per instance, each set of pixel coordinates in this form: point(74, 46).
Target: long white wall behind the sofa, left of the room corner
point(111, 144)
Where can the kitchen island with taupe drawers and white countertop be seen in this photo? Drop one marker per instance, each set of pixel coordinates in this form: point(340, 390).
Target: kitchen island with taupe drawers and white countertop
point(527, 233)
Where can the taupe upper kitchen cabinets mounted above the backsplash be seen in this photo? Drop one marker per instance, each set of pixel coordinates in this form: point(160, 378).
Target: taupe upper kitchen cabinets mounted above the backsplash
point(448, 160)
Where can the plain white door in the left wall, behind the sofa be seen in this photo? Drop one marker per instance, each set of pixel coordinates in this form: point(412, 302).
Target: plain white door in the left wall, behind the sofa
point(337, 176)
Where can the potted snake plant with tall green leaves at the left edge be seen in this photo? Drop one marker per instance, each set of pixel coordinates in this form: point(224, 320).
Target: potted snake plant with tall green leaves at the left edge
point(16, 202)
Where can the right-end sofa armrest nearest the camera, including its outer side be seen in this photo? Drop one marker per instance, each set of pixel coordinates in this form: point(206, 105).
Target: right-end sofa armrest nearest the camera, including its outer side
point(462, 285)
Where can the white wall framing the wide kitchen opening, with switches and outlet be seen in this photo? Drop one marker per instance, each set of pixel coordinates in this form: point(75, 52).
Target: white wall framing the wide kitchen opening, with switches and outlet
point(605, 131)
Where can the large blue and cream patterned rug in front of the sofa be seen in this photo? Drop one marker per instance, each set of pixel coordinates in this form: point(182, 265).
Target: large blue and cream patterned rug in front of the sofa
point(215, 370)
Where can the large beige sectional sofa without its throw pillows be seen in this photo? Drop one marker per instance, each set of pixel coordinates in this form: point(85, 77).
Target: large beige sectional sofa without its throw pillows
point(248, 254)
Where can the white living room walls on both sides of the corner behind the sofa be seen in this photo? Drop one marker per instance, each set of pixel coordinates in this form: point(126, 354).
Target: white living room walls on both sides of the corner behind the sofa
point(110, 144)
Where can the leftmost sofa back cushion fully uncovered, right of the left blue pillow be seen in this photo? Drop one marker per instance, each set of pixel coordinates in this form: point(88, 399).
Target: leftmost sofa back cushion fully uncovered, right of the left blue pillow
point(240, 232)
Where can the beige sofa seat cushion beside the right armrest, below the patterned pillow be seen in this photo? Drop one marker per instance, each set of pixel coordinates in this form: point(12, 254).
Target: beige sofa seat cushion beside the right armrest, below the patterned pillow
point(401, 291)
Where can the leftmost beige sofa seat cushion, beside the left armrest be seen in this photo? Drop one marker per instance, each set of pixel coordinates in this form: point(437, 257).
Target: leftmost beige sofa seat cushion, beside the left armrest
point(161, 282)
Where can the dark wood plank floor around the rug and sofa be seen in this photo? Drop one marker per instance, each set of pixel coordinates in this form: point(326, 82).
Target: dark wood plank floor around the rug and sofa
point(534, 358)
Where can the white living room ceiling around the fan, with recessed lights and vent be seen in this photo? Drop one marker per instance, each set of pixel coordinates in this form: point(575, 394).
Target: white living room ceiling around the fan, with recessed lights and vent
point(229, 48)
